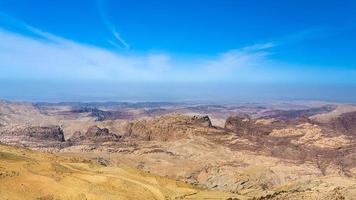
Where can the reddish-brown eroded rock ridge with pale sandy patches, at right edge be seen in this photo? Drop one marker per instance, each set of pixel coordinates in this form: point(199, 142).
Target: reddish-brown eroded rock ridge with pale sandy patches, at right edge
point(297, 140)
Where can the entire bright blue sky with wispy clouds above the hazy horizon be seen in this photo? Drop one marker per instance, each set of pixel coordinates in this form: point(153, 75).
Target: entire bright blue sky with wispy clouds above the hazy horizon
point(178, 50)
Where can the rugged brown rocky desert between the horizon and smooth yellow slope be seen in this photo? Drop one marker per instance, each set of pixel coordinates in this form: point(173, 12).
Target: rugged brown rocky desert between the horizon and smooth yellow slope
point(258, 153)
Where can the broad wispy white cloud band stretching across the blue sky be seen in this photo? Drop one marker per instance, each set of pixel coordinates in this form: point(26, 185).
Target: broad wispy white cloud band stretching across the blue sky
point(45, 56)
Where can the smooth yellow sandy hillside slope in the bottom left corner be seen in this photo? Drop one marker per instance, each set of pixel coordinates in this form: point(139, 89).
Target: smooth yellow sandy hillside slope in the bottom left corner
point(27, 174)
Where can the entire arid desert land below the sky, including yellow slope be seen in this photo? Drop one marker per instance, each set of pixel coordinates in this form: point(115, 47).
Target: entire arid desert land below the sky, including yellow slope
point(279, 150)
